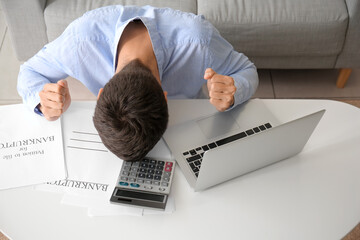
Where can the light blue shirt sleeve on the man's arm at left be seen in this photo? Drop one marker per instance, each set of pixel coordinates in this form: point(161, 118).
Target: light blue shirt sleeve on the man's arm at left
point(52, 63)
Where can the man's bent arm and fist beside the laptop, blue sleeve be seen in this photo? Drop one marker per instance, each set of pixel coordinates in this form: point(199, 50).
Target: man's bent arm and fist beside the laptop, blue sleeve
point(232, 78)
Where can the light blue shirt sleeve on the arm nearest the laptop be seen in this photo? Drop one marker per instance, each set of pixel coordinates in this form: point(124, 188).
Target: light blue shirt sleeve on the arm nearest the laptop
point(226, 61)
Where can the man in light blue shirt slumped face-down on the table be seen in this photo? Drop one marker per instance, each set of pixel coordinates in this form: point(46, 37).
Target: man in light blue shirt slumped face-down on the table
point(144, 50)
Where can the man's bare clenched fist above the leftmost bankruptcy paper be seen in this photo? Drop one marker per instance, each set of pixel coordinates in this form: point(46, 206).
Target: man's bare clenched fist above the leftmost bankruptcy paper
point(54, 99)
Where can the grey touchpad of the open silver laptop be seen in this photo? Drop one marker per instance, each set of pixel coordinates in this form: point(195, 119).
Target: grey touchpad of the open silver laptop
point(218, 124)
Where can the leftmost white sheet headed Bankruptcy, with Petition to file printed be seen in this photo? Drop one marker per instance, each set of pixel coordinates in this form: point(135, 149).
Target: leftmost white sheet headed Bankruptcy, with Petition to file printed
point(31, 148)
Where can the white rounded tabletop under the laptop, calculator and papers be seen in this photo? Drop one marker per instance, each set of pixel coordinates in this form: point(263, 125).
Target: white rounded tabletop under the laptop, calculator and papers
point(314, 195)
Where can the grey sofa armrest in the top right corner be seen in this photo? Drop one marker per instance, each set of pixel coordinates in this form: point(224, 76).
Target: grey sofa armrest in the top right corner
point(350, 55)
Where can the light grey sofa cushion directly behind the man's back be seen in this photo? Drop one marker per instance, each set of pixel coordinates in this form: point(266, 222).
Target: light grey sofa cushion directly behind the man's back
point(59, 14)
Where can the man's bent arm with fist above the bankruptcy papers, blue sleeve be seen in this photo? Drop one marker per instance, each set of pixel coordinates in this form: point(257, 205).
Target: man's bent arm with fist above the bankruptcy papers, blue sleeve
point(38, 80)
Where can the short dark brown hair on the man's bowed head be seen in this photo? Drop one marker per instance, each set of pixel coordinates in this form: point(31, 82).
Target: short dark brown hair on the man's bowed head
point(131, 114)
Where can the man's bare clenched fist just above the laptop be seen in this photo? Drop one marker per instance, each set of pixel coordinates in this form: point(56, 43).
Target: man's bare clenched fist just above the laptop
point(221, 89)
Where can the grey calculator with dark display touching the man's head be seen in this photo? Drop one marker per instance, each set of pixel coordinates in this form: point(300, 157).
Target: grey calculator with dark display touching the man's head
point(144, 183)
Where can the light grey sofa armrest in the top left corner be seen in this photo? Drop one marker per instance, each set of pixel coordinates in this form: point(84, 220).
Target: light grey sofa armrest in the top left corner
point(25, 21)
